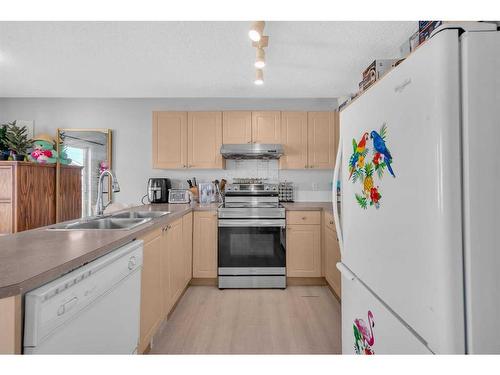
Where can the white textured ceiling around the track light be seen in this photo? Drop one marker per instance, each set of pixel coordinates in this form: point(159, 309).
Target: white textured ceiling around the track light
point(189, 59)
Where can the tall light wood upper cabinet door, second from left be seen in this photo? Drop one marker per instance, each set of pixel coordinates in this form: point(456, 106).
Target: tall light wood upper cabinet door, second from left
point(204, 139)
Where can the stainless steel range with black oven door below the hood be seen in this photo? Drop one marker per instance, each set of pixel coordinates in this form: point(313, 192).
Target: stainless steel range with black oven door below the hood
point(252, 236)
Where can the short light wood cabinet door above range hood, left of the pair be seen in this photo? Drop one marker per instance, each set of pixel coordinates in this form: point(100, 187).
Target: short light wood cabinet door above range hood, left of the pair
point(237, 127)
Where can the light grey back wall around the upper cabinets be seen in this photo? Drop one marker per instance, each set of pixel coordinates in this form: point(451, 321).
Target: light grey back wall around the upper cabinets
point(130, 120)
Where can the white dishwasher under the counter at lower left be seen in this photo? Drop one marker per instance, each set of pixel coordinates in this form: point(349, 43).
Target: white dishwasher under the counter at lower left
point(94, 309)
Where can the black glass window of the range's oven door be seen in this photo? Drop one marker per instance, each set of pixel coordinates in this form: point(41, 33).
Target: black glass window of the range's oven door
point(251, 247)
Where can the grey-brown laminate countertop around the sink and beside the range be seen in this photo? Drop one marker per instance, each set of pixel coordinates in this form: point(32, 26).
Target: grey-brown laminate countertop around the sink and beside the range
point(35, 257)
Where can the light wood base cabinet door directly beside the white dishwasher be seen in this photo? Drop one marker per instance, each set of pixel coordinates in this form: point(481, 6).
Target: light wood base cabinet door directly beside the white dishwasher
point(151, 287)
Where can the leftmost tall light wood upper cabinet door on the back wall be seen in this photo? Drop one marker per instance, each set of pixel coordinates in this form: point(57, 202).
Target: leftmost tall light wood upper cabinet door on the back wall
point(170, 149)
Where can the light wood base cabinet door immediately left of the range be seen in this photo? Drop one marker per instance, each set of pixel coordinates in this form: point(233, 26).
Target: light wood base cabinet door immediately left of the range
point(205, 244)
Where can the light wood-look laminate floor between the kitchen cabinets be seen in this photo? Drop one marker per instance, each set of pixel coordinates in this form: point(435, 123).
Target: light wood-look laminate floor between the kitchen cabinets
point(298, 320)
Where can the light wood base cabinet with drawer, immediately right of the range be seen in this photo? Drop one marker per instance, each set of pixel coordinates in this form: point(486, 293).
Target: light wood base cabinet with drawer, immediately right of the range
point(303, 251)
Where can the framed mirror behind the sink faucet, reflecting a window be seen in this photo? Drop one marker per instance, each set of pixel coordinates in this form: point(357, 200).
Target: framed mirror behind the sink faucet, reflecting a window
point(86, 152)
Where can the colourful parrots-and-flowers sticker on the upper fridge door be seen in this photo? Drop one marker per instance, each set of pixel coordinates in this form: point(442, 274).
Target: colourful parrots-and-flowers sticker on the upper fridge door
point(368, 162)
